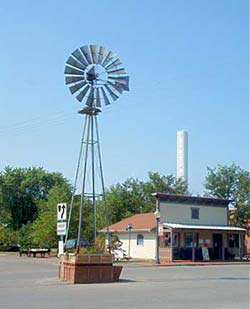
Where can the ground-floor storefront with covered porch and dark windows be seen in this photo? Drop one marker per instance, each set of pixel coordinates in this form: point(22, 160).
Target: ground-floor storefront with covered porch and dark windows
point(196, 243)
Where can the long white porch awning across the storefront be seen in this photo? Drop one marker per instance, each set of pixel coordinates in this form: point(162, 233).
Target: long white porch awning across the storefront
point(203, 227)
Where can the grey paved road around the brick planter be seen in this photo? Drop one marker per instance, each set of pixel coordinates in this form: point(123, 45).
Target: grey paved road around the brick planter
point(32, 283)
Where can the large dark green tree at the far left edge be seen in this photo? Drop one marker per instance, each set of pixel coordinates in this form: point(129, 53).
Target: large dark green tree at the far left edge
point(21, 189)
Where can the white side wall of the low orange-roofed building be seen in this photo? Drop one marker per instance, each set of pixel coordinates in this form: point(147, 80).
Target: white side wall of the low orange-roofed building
point(147, 251)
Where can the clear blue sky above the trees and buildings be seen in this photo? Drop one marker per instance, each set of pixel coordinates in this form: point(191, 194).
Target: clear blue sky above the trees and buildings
point(188, 64)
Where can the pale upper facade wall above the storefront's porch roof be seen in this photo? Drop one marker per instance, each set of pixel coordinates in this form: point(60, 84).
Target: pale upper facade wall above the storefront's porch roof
point(181, 213)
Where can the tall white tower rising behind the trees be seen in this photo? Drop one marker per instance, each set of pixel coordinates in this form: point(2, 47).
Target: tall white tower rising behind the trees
point(182, 155)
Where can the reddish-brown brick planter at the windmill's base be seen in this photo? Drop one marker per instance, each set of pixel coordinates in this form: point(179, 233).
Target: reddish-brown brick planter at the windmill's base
point(88, 269)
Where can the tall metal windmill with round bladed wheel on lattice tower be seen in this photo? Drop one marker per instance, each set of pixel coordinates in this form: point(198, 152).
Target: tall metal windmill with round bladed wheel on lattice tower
point(96, 78)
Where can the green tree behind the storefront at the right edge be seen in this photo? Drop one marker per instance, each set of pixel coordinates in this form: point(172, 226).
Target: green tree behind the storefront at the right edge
point(231, 182)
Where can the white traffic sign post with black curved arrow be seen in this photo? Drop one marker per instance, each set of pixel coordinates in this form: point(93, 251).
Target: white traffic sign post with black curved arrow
point(61, 225)
